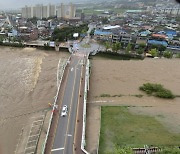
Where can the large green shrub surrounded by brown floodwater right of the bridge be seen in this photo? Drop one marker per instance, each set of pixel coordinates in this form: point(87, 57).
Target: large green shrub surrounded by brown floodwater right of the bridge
point(157, 90)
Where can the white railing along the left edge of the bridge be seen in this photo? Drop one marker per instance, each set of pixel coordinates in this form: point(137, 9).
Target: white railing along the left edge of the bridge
point(55, 102)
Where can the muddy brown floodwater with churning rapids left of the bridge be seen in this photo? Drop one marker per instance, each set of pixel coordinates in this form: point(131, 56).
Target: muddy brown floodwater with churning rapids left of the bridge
point(27, 85)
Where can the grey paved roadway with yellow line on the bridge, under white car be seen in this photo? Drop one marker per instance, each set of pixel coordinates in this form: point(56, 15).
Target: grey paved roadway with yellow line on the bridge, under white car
point(64, 138)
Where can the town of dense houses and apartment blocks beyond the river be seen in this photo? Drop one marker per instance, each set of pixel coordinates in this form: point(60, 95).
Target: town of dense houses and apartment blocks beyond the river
point(144, 23)
